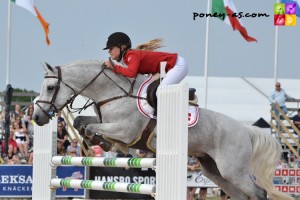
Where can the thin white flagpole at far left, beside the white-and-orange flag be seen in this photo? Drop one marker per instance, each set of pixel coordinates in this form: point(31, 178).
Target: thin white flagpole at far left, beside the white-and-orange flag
point(8, 43)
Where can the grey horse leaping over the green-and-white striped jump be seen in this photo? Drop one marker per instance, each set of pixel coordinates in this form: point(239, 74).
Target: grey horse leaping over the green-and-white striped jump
point(238, 158)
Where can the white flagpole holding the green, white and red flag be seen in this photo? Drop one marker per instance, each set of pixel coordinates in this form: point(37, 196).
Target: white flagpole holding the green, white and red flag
point(206, 54)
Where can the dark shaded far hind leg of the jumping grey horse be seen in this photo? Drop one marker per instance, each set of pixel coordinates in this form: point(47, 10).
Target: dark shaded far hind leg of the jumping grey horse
point(210, 170)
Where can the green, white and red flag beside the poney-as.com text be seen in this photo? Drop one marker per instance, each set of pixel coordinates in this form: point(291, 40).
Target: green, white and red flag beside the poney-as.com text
point(226, 8)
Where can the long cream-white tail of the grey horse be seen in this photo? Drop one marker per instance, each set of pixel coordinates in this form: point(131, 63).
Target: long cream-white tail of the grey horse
point(266, 151)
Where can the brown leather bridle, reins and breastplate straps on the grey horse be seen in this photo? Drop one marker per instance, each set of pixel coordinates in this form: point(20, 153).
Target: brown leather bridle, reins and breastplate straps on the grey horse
point(53, 109)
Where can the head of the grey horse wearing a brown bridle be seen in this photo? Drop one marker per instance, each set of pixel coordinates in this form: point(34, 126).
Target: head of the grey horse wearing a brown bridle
point(53, 97)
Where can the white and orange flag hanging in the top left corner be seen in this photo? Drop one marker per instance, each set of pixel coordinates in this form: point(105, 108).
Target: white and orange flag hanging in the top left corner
point(29, 5)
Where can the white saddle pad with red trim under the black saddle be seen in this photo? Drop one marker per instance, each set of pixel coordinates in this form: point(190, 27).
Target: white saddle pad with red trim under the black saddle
point(148, 111)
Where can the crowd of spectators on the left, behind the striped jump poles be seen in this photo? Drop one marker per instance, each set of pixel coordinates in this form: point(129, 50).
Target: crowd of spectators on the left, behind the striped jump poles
point(20, 139)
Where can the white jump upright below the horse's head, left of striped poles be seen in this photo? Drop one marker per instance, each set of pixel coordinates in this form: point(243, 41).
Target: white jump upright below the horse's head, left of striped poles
point(44, 148)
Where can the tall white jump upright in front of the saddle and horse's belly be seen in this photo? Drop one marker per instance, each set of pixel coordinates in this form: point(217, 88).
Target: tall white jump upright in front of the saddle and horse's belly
point(172, 142)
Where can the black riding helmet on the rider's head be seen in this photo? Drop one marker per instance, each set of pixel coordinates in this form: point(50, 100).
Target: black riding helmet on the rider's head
point(118, 39)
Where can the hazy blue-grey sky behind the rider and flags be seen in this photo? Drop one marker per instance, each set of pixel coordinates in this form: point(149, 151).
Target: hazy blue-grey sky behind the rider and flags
point(79, 30)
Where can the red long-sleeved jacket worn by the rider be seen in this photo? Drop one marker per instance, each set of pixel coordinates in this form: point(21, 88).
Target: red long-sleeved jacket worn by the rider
point(145, 62)
